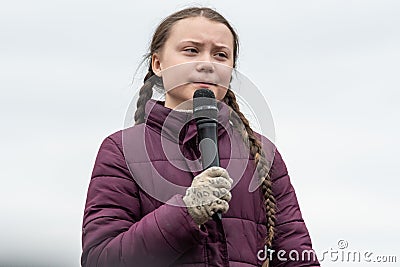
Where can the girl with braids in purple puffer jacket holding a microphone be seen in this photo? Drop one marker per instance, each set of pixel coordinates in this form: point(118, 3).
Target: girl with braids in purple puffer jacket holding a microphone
point(145, 208)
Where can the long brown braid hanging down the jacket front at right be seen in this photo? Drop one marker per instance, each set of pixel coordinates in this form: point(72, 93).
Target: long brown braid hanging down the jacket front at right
point(260, 161)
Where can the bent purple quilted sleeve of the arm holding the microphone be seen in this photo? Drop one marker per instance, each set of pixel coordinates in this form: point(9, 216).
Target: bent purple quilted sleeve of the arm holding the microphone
point(114, 232)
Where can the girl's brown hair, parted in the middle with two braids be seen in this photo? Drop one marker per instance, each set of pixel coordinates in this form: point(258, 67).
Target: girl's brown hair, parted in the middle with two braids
point(159, 38)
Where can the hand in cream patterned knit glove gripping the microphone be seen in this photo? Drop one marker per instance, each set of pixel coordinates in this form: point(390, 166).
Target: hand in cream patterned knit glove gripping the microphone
point(208, 194)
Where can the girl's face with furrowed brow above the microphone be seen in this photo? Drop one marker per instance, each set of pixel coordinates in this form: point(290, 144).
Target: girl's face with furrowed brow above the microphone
point(197, 54)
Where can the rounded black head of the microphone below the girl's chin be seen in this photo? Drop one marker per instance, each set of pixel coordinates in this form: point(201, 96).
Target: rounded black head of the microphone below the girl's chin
point(204, 104)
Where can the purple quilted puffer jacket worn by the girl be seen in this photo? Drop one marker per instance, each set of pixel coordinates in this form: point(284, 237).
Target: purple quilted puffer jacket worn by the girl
point(135, 216)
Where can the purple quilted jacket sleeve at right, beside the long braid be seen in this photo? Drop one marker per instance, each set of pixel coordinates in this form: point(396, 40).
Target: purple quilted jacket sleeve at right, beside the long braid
point(291, 234)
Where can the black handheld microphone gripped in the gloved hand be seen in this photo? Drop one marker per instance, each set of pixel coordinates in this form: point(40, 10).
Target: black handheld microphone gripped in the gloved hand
point(205, 112)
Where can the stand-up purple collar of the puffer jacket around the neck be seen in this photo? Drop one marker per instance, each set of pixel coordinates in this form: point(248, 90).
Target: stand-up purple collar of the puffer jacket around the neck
point(179, 126)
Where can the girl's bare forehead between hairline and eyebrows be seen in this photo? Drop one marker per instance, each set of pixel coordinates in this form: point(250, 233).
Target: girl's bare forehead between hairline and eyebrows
point(201, 29)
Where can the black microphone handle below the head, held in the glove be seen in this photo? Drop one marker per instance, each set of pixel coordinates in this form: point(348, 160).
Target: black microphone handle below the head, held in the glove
point(207, 133)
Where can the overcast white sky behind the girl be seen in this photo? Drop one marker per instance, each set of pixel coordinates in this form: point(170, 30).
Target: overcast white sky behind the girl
point(328, 69)
